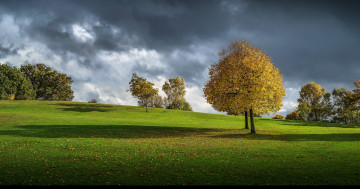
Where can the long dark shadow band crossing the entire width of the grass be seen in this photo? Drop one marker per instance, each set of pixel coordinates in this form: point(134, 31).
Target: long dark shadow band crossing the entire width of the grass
point(136, 131)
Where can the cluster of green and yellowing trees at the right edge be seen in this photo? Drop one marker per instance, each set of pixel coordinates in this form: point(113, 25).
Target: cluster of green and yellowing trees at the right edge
point(339, 106)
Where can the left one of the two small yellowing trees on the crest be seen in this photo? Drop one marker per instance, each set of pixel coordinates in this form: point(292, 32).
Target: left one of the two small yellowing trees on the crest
point(142, 90)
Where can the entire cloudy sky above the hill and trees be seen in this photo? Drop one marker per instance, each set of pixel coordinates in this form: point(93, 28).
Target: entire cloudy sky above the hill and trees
point(101, 43)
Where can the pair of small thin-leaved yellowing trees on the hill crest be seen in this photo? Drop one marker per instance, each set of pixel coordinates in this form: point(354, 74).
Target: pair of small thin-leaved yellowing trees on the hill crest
point(148, 96)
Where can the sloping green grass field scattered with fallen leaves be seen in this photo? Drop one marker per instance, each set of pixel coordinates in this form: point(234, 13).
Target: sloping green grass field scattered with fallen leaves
point(69, 143)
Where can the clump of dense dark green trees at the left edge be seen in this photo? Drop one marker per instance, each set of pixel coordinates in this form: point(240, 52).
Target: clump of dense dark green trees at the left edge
point(34, 82)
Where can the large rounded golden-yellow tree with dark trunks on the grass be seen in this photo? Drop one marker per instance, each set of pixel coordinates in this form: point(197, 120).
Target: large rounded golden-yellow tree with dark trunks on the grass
point(244, 80)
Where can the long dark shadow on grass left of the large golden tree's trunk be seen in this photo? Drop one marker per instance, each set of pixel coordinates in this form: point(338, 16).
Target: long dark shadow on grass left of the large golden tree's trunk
point(104, 131)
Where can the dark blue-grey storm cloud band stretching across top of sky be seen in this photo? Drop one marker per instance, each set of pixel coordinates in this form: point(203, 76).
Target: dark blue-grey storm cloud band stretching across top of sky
point(304, 27)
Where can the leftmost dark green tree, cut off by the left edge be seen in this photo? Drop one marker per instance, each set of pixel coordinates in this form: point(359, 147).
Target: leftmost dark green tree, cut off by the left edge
point(13, 84)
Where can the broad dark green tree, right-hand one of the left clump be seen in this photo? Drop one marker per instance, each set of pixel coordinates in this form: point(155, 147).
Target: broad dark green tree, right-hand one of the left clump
point(48, 84)
